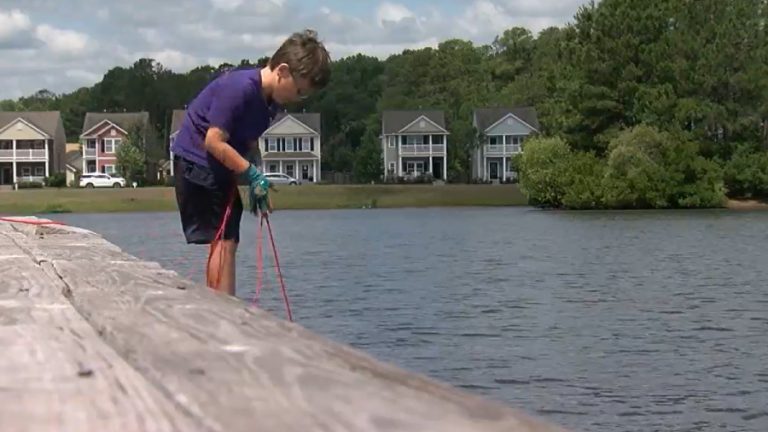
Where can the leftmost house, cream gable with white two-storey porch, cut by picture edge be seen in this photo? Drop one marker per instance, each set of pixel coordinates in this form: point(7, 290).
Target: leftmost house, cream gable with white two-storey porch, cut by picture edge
point(32, 145)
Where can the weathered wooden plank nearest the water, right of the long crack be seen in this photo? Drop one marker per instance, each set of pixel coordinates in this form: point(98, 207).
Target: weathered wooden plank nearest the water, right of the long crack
point(236, 368)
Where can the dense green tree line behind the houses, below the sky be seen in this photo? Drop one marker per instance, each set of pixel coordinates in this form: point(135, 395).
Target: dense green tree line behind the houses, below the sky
point(695, 70)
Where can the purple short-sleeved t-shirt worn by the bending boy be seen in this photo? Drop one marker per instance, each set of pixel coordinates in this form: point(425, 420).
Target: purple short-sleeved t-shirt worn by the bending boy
point(232, 102)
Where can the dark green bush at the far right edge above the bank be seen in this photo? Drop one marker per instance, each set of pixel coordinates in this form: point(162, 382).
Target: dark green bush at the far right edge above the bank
point(746, 173)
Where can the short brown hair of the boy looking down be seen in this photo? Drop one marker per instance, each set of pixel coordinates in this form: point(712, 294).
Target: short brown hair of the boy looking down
point(306, 56)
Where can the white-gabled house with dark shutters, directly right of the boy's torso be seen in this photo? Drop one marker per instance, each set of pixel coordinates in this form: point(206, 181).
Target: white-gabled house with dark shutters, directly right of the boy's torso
point(291, 145)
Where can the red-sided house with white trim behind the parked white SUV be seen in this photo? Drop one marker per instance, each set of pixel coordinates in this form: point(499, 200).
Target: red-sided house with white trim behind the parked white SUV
point(102, 135)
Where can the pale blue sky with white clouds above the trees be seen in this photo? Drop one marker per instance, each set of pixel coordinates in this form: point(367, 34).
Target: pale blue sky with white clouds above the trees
point(61, 45)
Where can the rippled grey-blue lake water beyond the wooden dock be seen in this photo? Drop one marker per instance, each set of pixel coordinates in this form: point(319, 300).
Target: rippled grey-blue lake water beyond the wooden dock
point(600, 321)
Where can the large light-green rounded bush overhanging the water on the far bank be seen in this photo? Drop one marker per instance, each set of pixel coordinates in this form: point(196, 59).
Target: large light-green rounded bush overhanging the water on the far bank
point(645, 168)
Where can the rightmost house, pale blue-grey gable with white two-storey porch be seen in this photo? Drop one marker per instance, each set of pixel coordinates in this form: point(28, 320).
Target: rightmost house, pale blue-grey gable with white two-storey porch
point(502, 132)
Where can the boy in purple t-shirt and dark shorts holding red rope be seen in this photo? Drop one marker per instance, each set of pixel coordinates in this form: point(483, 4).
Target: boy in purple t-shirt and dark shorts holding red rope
point(221, 126)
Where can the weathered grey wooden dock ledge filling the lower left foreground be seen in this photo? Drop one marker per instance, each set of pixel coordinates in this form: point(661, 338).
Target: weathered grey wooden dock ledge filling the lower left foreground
point(94, 339)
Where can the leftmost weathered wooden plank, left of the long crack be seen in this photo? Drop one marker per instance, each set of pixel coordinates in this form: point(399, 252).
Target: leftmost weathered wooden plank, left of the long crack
point(55, 371)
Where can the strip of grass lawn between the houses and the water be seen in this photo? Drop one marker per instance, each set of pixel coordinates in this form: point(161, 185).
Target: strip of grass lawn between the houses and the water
point(32, 201)
